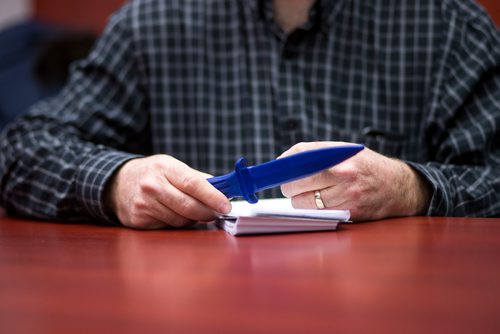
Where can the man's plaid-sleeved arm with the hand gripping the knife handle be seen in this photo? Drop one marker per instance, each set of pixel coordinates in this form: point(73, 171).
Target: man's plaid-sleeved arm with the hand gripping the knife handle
point(68, 159)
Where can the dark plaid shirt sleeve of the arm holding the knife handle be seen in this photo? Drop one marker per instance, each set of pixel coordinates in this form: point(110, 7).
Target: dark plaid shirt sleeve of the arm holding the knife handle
point(56, 160)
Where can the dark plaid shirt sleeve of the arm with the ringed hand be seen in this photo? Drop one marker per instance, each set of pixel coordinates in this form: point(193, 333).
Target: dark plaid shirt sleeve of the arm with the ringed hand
point(463, 126)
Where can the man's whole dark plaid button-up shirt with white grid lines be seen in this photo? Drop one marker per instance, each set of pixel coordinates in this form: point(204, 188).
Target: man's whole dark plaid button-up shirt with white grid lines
point(208, 81)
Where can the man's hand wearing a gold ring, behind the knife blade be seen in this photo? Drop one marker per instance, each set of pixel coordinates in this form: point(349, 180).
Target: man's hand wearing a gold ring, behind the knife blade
point(369, 184)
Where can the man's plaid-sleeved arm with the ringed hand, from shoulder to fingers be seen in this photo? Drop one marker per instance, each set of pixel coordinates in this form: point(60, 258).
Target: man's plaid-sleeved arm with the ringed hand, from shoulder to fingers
point(462, 174)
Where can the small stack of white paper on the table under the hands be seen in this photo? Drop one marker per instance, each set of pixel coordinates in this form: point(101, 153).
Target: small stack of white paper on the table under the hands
point(278, 216)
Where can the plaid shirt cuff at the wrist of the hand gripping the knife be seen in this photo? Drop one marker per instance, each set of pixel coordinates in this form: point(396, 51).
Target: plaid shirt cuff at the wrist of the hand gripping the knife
point(92, 178)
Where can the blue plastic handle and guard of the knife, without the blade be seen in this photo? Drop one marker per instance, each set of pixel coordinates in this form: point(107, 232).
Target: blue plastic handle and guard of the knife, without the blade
point(237, 183)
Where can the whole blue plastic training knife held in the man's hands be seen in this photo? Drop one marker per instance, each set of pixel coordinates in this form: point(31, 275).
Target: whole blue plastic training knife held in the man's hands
point(246, 181)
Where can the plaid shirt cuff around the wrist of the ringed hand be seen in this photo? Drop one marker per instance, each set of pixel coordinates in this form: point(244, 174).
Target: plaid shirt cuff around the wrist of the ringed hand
point(441, 202)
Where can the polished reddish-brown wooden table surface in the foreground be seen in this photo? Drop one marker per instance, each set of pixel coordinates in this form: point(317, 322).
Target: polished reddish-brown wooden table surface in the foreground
point(412, 275)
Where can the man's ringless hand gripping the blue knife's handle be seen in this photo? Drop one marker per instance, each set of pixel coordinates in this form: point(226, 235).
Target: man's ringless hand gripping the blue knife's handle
point(160, 191)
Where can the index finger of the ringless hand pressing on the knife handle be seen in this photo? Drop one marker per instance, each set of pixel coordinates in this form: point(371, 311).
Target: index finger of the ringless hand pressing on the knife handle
point(191, 183)
